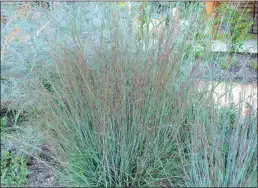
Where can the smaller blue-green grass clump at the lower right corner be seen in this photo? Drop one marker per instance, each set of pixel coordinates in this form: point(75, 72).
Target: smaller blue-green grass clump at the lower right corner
point(221, 149)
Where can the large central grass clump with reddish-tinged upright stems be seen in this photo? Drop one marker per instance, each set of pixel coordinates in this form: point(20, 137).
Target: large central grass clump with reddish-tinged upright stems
point(113, 116)
